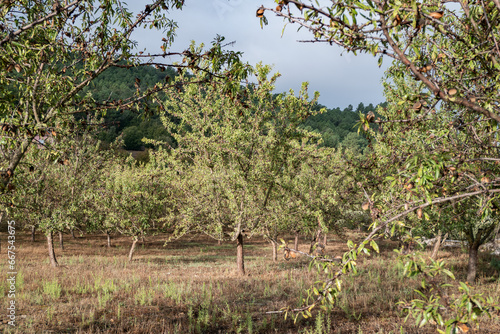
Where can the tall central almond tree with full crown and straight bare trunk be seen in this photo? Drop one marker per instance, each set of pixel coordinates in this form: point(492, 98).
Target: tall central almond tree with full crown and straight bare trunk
point(232, 151)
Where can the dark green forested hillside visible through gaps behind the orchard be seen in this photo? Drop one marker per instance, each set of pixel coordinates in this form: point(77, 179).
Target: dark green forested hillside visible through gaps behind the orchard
point(336, 126)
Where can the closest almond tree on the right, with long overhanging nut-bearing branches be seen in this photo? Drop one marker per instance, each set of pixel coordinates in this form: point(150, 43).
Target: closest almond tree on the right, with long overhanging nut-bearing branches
point(448, 53)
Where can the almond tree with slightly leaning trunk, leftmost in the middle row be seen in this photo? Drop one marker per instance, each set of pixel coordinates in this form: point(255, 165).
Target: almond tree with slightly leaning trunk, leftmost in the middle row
point(51, 182)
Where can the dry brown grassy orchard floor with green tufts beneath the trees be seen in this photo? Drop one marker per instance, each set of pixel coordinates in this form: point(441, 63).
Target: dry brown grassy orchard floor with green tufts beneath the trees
point(191, 286)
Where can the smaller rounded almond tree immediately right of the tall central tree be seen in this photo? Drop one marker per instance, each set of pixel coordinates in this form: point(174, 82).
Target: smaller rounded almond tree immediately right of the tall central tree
point(317, 194)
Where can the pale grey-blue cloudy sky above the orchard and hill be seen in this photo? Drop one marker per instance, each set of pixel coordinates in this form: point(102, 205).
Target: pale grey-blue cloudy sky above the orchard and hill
point(341, 79)
